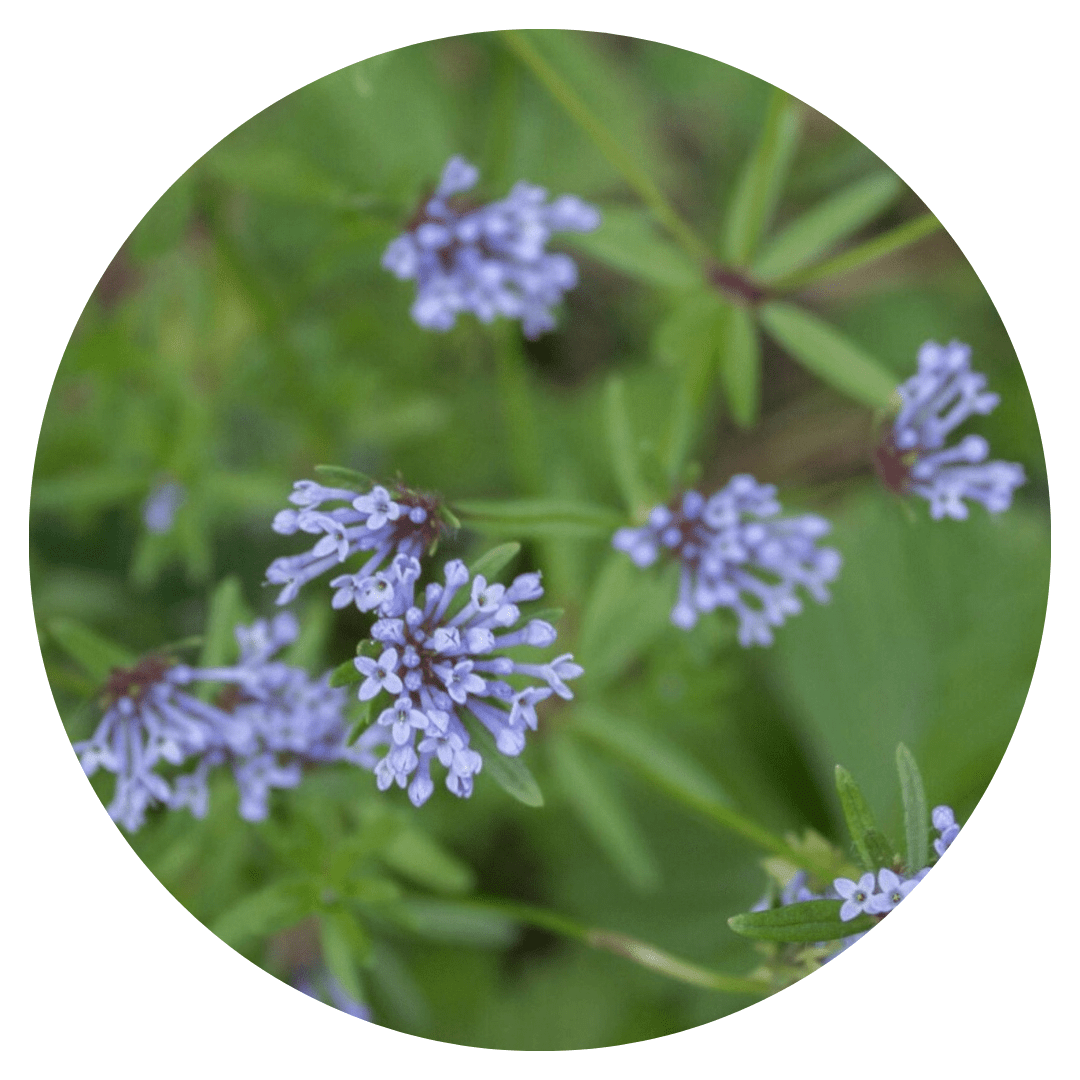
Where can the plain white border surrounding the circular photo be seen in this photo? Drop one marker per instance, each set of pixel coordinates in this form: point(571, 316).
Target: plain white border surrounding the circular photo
point(109, 103)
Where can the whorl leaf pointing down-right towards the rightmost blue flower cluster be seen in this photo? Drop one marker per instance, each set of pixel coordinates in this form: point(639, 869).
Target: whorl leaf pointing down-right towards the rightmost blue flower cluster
point(828, 354)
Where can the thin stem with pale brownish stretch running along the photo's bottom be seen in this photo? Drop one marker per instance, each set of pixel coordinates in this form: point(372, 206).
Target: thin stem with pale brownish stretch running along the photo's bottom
point(631, 949)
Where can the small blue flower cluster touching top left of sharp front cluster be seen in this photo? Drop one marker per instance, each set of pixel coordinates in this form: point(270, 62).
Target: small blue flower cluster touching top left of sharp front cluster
point(406, 523)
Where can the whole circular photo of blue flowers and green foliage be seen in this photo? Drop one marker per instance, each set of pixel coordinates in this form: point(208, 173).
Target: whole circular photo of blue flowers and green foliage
point(539, 541)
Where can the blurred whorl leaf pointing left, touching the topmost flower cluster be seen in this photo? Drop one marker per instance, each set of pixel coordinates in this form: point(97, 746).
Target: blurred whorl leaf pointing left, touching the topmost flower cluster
point(628, 241)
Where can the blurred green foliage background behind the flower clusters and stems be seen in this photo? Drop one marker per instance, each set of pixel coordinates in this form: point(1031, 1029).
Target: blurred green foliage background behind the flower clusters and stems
point(246, 332)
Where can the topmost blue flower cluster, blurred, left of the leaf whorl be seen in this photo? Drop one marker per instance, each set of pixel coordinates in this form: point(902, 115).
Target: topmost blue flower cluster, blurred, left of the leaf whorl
point(488, 260)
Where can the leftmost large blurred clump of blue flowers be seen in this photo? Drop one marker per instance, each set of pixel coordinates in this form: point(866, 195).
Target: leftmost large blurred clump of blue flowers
point(268, 722)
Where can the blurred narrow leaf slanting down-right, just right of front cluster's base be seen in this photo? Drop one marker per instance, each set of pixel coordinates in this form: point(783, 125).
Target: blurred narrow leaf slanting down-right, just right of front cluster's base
point(652, 757)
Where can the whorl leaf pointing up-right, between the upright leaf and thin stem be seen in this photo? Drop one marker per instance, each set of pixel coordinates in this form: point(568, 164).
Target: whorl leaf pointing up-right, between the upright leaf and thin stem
point(822, 227)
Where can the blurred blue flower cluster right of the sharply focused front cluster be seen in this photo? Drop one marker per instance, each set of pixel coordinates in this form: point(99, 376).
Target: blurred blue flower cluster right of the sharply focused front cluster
point(737, 552)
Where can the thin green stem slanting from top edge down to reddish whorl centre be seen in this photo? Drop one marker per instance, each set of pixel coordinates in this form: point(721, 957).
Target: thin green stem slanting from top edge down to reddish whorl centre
point(607, 144)
